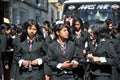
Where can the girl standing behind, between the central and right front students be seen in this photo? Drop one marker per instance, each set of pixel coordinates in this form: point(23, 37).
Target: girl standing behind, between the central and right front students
point(80, 37)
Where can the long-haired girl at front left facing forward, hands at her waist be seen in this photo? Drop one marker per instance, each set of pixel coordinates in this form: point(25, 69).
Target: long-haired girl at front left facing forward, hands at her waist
point(29, 55)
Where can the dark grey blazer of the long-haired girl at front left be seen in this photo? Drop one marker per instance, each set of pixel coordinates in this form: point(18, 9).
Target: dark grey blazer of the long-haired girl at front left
point(24, 53)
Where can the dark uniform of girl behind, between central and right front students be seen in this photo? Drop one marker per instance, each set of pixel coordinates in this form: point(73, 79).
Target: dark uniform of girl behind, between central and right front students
point(80, 41)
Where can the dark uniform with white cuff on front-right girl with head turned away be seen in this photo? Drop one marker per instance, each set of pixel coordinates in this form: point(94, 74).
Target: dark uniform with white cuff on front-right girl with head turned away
point(102, 70)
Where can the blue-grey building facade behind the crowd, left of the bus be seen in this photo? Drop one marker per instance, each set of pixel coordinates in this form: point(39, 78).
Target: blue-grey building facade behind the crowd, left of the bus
point(19, 11)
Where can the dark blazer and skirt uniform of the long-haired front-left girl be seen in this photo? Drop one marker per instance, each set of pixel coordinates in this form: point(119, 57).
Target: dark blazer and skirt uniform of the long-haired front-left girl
point(23, 53)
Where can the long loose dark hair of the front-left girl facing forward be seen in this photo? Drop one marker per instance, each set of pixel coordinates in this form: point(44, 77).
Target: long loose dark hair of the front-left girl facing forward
point(30, 22)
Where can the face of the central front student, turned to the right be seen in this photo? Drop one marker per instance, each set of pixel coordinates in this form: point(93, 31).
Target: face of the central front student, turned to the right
point(63, 33)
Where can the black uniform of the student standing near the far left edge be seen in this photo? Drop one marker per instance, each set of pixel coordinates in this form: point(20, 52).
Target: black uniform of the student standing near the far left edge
point(7, 56)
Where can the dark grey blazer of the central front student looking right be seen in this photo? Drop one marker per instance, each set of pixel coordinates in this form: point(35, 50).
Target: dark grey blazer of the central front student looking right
point(55, 56)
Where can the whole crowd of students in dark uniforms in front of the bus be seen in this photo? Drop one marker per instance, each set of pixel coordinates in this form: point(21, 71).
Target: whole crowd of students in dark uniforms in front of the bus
point(60, 51)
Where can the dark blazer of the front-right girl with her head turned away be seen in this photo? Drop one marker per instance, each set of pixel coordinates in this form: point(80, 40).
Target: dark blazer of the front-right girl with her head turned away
point(103, 49)
